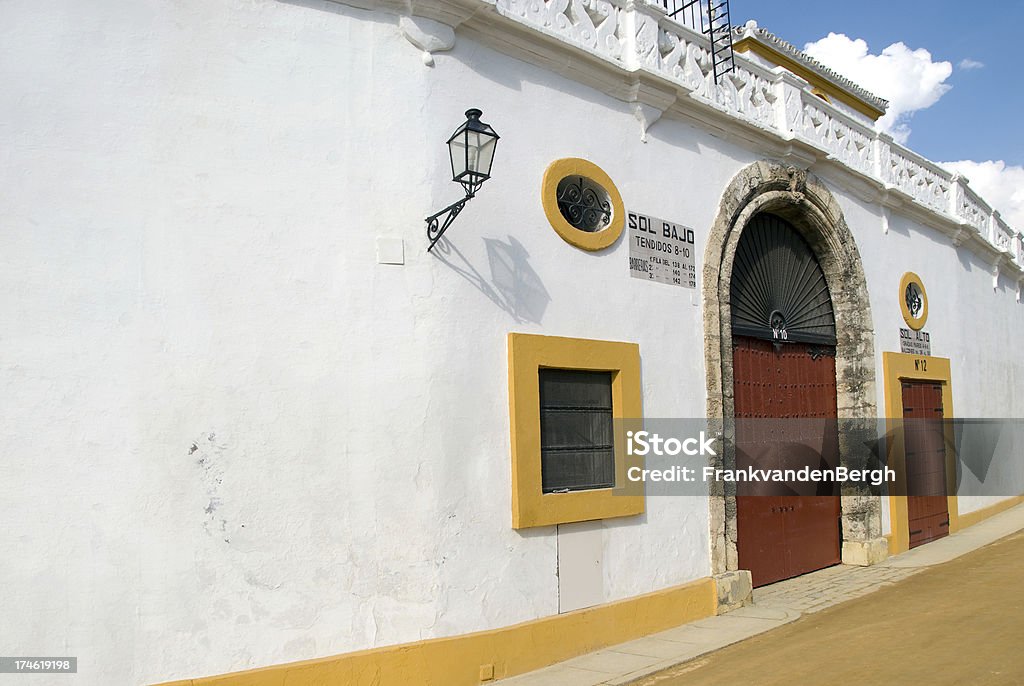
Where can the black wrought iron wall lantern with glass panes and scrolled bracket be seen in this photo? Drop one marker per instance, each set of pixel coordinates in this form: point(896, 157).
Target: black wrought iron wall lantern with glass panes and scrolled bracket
point(473, 151)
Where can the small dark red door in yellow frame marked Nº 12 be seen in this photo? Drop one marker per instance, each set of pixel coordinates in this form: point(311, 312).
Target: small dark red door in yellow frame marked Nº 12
point(924, 441)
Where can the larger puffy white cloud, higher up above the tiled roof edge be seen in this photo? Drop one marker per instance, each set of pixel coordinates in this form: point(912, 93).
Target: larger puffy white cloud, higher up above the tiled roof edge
point(909, 79)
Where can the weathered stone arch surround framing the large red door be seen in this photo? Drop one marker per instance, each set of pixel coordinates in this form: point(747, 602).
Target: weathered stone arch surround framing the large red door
point(809, 207)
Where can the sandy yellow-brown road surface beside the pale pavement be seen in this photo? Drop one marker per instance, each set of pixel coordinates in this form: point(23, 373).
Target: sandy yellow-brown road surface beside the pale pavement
point(960, 623)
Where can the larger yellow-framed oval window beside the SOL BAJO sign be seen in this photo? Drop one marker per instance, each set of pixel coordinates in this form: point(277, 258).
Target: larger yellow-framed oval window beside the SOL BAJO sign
point(583, 204)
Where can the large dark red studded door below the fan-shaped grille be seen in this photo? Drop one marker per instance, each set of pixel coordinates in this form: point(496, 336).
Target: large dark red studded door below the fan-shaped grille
point(786, 530)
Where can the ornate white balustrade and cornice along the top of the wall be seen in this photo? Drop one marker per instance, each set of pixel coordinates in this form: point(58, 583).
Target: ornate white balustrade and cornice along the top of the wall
point(633, 52)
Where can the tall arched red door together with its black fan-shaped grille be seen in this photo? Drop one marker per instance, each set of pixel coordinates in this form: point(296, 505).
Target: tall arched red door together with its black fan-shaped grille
point(784, 365)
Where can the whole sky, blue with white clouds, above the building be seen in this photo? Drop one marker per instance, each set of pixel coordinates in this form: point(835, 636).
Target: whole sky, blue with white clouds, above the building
point(963, 102)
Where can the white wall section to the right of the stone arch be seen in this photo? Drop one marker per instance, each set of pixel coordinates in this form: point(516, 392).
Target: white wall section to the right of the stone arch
point(971, 323)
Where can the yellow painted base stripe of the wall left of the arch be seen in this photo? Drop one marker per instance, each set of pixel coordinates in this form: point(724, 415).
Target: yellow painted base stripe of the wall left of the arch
point(457, 661)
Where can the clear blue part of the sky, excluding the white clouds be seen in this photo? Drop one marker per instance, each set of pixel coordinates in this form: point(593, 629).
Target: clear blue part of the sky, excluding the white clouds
point(979, 117)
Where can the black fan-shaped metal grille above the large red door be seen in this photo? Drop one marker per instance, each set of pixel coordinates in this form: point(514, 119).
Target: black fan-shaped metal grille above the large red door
point(779, 290)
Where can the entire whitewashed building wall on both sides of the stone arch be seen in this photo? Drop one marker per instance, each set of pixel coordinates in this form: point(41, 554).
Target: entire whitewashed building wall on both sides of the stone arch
point(231, 438)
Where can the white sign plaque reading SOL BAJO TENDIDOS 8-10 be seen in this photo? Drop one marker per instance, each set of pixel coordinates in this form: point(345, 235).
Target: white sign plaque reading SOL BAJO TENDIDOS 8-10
point(662, 251)
